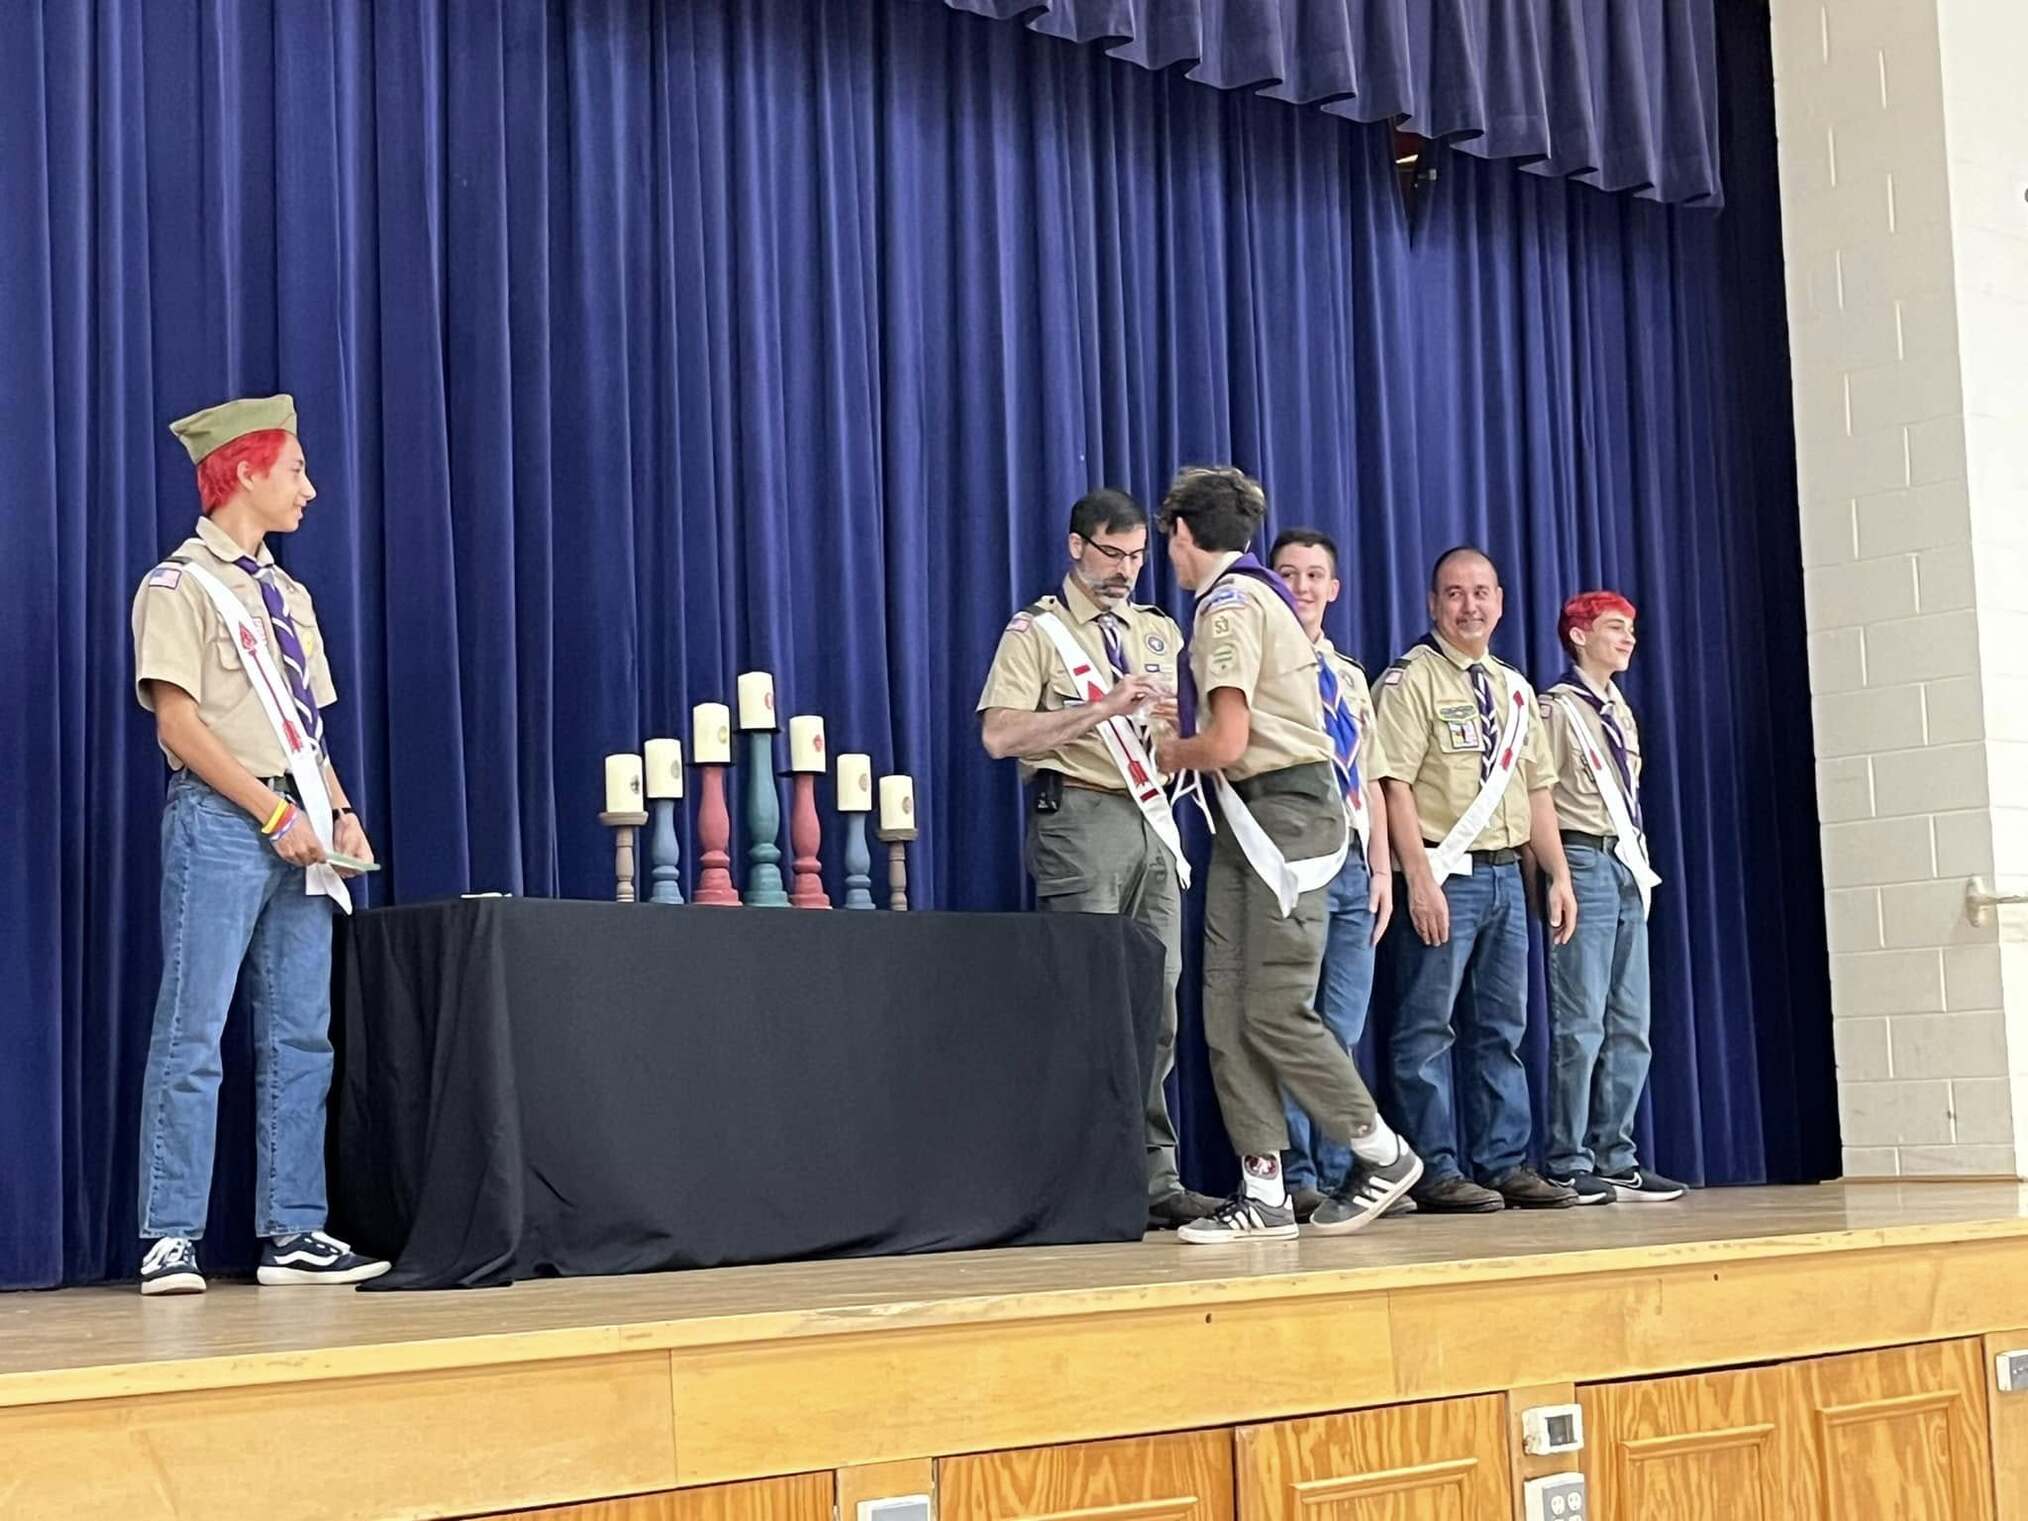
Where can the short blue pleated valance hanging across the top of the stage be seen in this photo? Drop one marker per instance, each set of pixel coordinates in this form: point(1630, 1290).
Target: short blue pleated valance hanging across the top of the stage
point(1617, 94)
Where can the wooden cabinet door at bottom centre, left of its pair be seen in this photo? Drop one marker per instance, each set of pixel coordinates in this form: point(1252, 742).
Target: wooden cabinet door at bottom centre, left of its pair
point(1185, 1477)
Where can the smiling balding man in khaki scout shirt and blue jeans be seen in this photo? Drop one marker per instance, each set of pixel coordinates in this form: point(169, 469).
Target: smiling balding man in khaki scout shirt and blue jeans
point(1467, 780)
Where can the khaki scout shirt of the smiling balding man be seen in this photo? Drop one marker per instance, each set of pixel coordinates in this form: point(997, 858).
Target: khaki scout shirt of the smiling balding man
point(1429, 719)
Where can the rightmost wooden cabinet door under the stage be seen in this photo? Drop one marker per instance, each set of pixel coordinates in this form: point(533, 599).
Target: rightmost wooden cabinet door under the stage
point(1901, 1435)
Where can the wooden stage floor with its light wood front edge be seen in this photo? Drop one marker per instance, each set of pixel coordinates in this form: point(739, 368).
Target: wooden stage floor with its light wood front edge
point(654, 1382)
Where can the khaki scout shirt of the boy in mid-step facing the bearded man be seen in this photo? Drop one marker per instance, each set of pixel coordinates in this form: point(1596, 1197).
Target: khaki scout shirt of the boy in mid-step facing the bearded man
point(1248, 640)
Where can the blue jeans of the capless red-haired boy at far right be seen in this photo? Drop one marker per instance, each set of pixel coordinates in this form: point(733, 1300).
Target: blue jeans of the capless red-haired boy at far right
point(1599, 1021)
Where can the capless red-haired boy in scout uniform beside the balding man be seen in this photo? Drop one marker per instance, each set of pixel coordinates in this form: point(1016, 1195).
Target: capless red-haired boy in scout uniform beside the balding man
point(1599, 981)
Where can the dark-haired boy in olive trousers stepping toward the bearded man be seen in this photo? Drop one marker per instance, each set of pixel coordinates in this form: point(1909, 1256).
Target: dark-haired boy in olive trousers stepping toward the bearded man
point(1281, 841)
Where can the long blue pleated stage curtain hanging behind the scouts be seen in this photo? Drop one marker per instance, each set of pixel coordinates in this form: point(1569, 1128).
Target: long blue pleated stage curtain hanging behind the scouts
point(646, 344)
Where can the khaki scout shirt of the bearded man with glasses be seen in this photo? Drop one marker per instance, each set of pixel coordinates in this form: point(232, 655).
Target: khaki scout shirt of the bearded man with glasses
point(1027, 674)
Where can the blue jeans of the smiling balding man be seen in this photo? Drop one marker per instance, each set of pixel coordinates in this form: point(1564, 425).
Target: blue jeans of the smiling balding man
point(1479, 976)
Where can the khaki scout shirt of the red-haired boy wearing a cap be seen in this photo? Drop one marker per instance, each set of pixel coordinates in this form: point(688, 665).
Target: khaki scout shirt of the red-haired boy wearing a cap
point(179, 638)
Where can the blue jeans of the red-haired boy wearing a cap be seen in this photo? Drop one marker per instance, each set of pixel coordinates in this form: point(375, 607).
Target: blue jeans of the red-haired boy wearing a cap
point(232, 906)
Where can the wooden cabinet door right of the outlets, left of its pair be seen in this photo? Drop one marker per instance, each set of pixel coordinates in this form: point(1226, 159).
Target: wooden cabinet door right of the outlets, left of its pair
point(1711, 1447)
